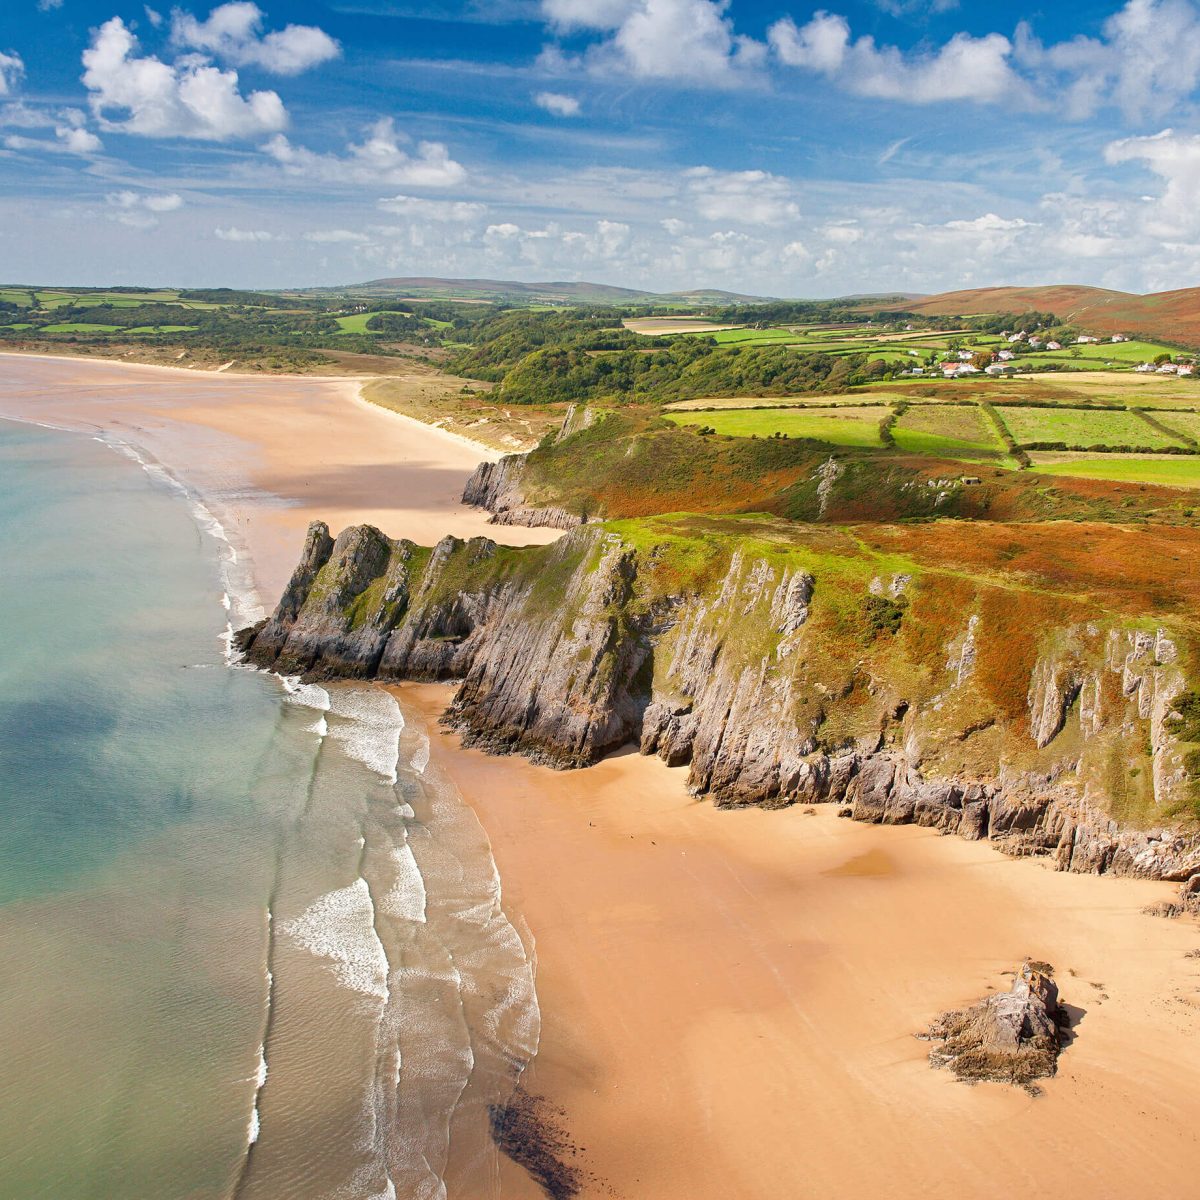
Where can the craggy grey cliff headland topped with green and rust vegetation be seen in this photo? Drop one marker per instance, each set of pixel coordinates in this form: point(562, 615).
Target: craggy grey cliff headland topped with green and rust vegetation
point(784, 668)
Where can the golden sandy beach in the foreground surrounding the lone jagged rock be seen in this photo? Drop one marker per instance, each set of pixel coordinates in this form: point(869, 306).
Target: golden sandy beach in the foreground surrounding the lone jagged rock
point(730, 999)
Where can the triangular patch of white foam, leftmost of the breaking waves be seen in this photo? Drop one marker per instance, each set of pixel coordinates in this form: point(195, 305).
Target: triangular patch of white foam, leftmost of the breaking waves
point(340, 928)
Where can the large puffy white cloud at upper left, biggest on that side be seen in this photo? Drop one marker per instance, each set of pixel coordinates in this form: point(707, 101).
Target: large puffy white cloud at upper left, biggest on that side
point(189, 99)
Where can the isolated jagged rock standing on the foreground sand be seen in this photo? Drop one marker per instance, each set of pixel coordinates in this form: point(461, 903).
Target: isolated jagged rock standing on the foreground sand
point(1013, 1037)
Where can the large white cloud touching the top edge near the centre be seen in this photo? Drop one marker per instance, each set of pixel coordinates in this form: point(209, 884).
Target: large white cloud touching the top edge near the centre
point(686, 40)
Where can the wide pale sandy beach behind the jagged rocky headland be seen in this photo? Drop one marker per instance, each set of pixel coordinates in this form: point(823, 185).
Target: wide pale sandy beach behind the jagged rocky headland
point(268, 454)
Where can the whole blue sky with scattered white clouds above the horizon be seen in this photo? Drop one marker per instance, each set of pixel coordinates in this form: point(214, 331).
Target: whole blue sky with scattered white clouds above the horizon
point(772, 148)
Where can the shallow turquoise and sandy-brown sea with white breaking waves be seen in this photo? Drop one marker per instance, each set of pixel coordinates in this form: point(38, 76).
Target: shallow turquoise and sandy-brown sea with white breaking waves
point(253, 944)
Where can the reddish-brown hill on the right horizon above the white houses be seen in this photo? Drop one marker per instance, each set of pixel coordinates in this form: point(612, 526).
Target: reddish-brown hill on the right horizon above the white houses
point(1174, 316)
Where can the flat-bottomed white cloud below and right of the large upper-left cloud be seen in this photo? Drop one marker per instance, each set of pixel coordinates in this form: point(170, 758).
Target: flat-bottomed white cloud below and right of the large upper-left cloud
point(379, 160)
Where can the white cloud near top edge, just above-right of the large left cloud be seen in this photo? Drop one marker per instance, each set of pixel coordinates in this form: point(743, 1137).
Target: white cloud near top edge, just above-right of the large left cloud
point(235, 33)
